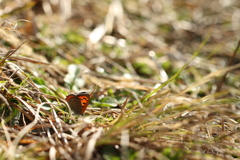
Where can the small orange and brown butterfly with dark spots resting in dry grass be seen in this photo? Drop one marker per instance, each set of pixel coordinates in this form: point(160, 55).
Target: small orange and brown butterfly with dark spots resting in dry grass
point(79, 102)
